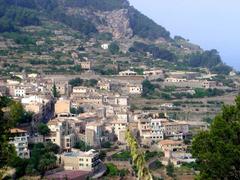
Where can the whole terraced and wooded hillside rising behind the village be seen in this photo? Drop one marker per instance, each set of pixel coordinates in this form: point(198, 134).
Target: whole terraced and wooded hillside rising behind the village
point(37, 34)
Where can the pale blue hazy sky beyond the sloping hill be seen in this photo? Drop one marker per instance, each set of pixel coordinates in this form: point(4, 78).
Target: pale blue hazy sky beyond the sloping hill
point(212, 24)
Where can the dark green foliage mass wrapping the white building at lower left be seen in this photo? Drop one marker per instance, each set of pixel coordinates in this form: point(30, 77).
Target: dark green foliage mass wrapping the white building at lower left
point(42, 158)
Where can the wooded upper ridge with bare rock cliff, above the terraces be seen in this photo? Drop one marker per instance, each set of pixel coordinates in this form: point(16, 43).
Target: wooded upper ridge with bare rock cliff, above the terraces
point(114, 18)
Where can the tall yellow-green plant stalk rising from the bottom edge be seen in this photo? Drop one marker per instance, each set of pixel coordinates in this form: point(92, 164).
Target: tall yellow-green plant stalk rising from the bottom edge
point(138, 157)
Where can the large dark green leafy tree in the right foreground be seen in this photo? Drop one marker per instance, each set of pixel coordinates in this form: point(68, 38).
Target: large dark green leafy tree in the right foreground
point(217, 151)
